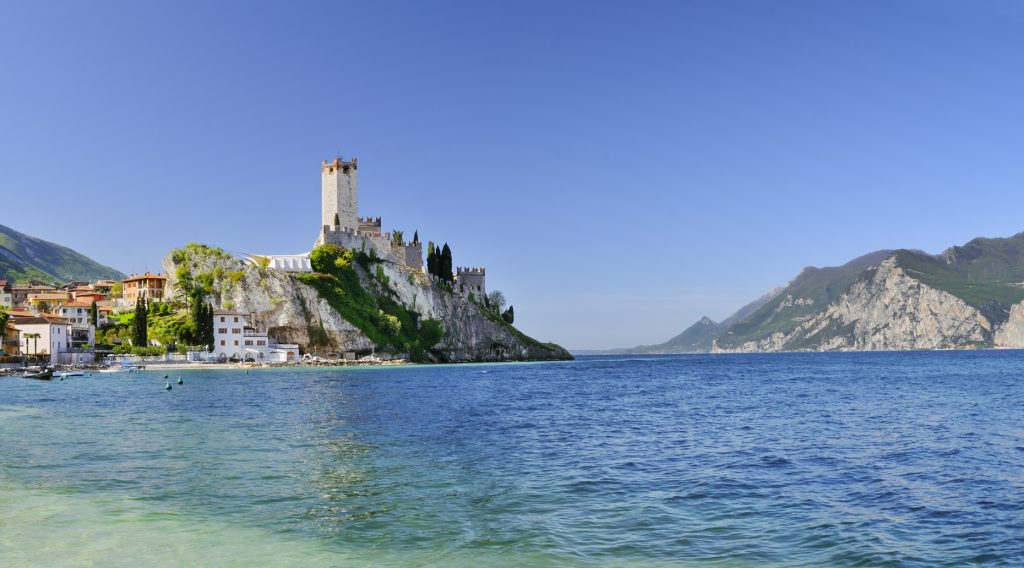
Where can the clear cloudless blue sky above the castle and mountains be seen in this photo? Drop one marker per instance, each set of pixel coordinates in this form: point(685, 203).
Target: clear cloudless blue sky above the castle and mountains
point(621, 169)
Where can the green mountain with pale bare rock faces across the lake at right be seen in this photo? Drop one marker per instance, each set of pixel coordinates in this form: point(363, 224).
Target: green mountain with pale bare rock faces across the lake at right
point(968, 296)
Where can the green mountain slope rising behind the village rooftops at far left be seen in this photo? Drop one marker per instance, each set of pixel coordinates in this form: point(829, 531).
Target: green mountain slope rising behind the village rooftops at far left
point(24, 258)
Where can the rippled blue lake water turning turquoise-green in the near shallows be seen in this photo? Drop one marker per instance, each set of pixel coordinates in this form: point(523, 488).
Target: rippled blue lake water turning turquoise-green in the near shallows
point(868, 460)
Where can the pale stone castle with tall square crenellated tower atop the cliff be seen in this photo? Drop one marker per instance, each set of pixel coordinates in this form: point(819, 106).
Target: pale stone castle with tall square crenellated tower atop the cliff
point(342, 225)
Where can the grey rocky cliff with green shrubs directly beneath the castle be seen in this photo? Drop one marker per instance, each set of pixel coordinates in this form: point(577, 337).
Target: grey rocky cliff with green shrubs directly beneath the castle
point(298, 309)
